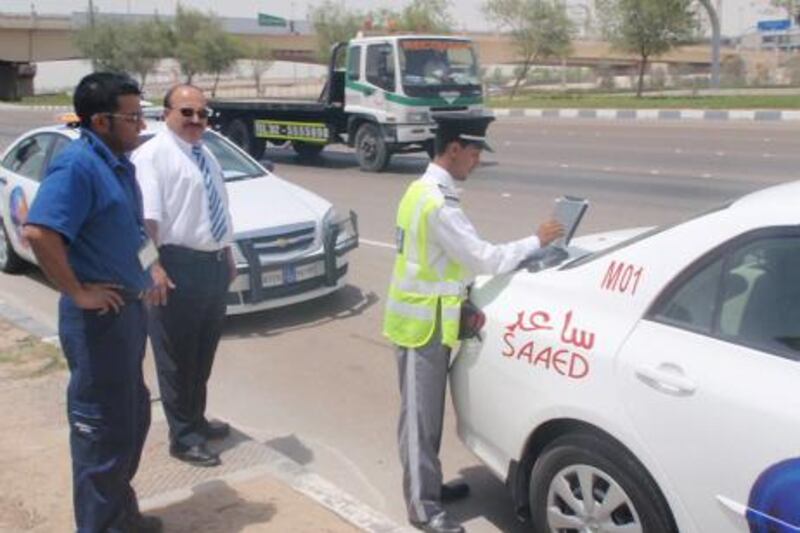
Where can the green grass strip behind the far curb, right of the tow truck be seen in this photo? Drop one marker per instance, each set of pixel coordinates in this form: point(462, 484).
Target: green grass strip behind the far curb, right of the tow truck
point(624, 101)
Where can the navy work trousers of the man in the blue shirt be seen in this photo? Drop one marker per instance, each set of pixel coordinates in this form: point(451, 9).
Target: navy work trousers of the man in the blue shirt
point(108, 408)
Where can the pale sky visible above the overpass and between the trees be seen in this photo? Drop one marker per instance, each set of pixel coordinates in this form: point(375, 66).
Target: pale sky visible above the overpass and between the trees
point(738, 16)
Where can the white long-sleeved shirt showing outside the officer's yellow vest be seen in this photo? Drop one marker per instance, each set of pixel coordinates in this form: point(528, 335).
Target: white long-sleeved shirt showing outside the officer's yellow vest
point(455, 236)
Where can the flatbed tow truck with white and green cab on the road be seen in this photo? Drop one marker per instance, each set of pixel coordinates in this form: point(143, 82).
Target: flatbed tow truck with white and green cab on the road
point(380, 98)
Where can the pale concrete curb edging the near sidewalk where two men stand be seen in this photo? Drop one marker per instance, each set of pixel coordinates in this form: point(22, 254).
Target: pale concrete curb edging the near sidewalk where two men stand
point(279, 466)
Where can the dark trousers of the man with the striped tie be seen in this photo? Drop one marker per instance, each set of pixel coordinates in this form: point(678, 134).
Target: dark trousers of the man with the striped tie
point(184, 335)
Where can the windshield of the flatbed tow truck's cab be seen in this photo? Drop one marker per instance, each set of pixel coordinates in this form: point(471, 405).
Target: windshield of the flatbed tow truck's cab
point(444, 63)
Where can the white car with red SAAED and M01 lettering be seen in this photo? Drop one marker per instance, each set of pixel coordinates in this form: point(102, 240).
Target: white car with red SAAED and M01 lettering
point(649, 381)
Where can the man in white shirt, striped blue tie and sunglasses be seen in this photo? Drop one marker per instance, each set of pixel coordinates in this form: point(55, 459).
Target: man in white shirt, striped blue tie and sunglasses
point(186, 214)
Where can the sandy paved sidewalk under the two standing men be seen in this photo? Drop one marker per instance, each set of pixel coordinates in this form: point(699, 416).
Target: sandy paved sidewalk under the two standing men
point(255, 490)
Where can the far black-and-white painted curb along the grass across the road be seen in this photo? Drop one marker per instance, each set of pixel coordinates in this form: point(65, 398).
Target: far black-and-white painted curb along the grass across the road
point(655, 114)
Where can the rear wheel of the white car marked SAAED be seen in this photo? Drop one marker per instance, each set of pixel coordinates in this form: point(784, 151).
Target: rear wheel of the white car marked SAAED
point(624, 493)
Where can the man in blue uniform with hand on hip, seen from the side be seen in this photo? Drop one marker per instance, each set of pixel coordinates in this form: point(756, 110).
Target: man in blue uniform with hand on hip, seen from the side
point(87, 231)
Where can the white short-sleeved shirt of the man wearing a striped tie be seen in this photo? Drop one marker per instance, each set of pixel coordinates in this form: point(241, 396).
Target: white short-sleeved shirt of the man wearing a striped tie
point(174, 194)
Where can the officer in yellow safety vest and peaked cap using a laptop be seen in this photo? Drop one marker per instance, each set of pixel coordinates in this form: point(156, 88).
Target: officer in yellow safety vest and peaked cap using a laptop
point(438, 253)
